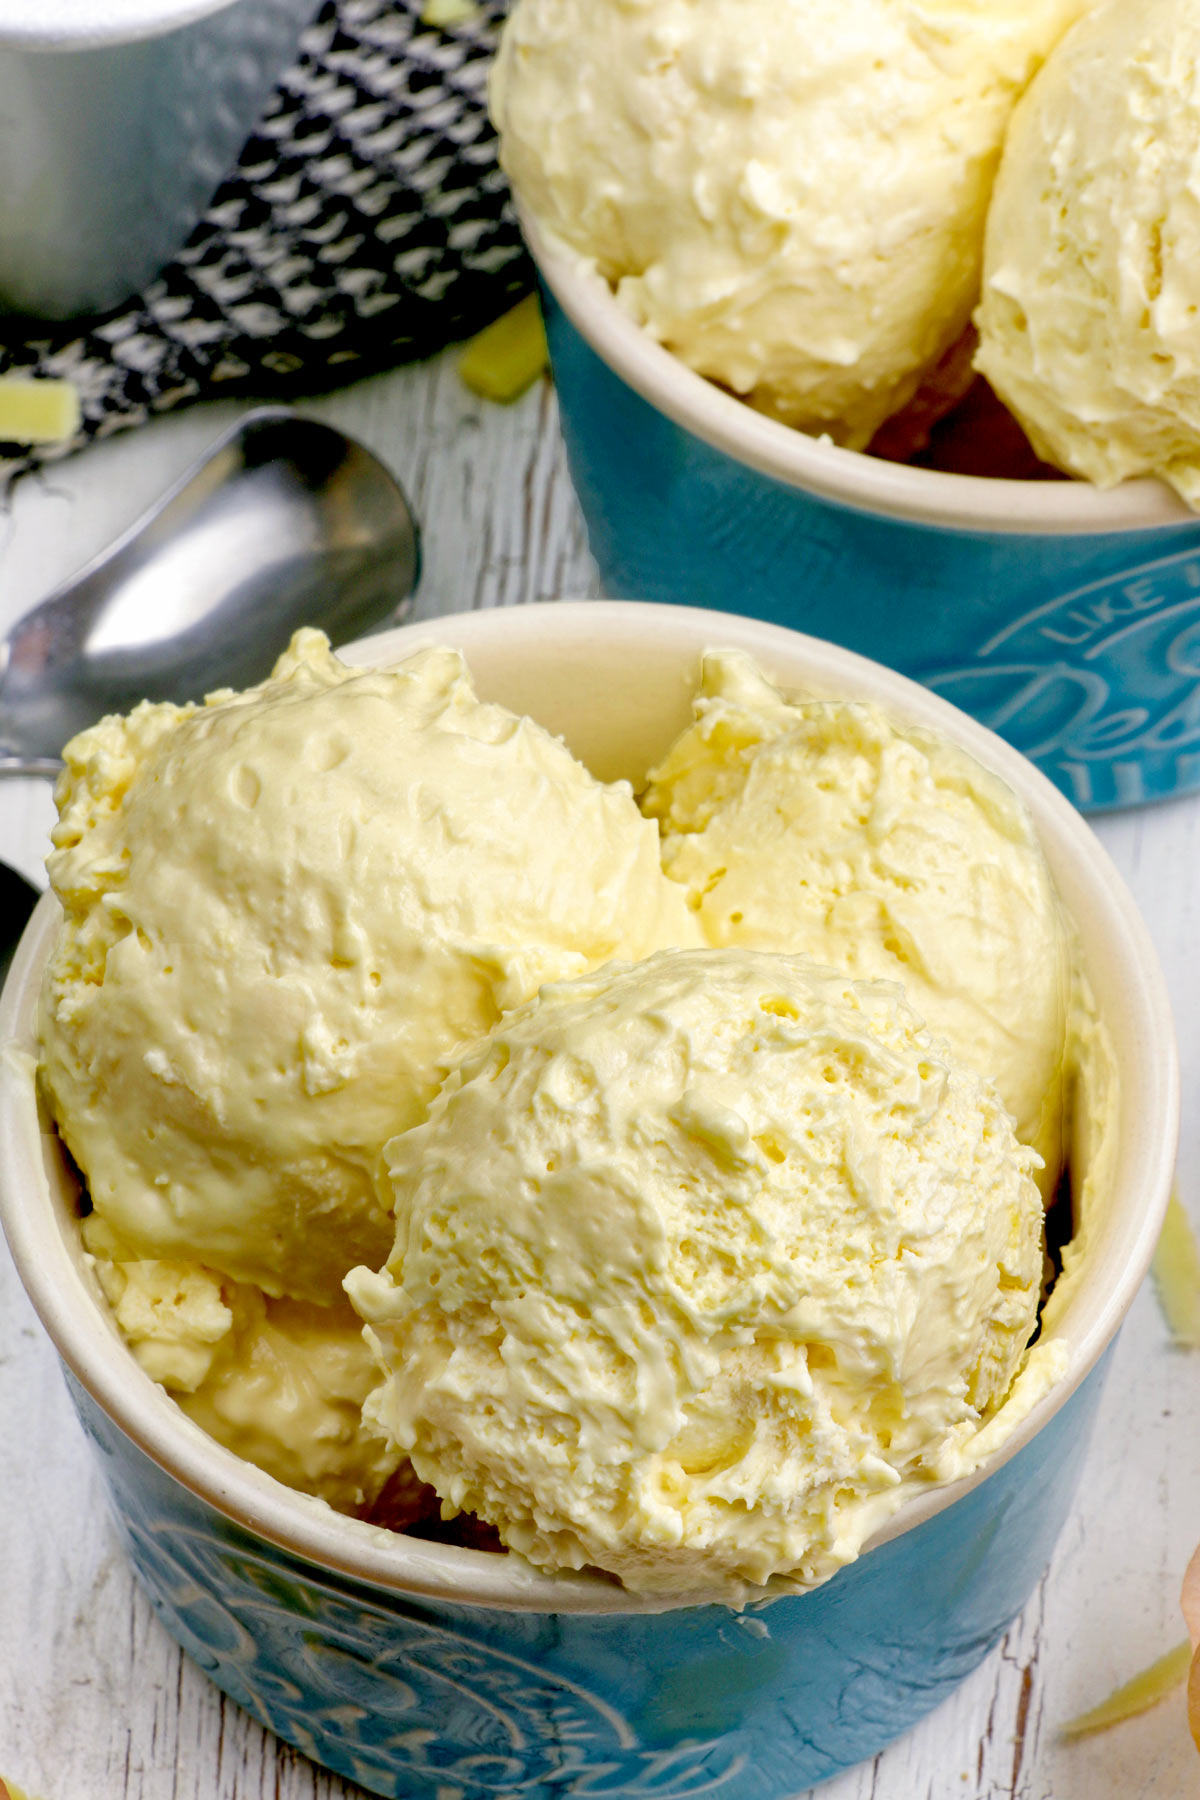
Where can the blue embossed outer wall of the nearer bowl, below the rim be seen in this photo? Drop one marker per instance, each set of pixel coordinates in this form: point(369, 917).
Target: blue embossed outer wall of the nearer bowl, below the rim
point(416, 1698)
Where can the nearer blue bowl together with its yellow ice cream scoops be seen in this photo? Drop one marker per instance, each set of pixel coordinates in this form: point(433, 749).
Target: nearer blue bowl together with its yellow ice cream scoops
point(712, 1270)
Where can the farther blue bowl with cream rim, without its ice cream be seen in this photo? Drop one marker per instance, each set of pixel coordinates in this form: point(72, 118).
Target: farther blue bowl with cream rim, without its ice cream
point(1064, 618)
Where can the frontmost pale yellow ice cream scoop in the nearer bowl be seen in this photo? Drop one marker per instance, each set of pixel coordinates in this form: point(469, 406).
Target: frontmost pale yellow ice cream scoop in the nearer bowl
point(699, 1266)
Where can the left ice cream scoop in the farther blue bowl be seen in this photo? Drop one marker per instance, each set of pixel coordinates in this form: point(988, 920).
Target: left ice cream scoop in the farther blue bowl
point(791, 195)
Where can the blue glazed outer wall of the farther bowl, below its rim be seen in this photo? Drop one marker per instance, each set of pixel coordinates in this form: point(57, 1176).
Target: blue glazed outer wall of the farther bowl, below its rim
point(1080, 651)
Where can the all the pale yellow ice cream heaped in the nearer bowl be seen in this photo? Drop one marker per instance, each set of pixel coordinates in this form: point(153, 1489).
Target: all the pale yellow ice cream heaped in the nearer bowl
point(704, 1259)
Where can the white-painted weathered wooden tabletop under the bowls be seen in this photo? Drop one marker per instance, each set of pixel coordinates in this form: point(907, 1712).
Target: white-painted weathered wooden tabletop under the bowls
point(98, 1704)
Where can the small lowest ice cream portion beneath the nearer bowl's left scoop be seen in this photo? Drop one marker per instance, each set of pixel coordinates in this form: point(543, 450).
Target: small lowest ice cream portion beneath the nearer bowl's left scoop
point(280, 1383)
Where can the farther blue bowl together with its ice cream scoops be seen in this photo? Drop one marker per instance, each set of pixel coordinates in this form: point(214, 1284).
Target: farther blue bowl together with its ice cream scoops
point(746, 276)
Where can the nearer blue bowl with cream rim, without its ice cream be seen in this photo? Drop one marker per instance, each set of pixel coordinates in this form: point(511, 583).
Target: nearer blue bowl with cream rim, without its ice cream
point(429, 1671)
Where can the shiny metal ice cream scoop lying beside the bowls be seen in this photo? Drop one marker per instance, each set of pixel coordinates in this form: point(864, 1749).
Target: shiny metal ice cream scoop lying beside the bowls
point(285, 523)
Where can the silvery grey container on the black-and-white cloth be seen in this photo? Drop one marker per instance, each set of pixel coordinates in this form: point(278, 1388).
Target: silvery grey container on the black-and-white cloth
point(118, 123)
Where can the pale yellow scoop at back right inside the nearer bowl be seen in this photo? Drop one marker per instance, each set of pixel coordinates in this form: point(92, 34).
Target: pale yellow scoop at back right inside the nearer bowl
point(830, 831)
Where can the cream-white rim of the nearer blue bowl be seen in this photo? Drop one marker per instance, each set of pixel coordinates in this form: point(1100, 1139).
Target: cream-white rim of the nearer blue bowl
point(93, 1349)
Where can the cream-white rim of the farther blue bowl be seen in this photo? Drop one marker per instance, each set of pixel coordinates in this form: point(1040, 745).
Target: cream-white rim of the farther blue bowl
point(846, 478)
